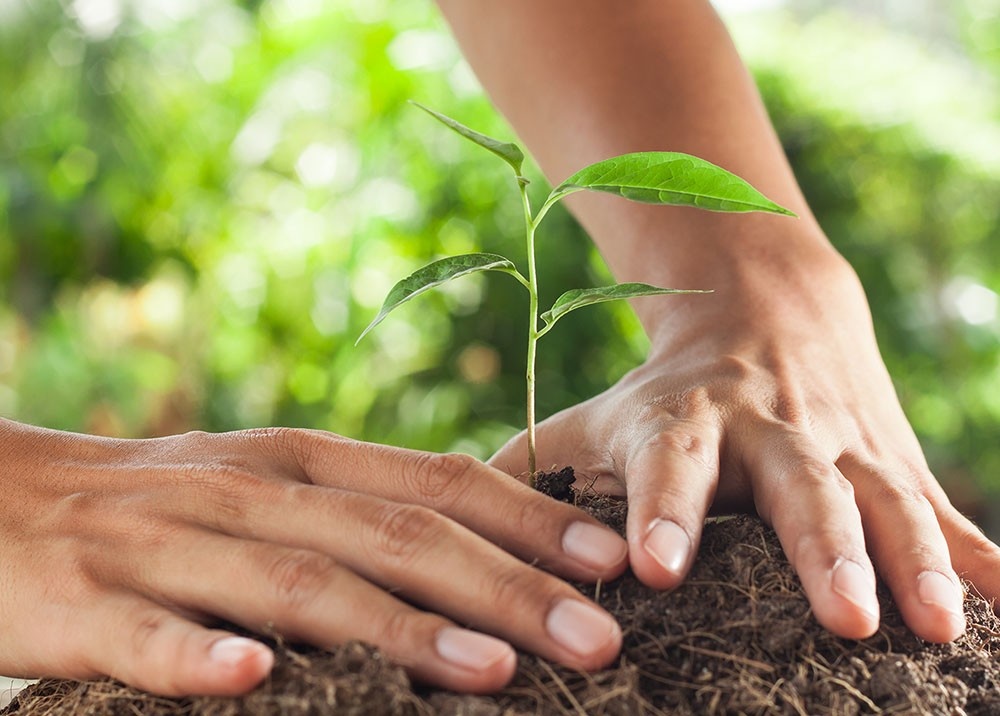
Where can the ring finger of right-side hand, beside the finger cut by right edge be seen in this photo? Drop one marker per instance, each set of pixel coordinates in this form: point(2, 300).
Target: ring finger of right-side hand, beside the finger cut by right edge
point(910, 550)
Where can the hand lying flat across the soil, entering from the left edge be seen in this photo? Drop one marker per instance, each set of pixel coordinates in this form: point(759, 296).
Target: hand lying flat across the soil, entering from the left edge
point(116, 555)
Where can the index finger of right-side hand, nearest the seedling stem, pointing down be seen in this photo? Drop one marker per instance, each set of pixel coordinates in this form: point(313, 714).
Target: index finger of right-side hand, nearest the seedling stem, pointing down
point(671, 478)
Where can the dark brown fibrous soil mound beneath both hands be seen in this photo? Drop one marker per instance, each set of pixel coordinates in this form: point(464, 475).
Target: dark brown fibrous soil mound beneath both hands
point(737, 638)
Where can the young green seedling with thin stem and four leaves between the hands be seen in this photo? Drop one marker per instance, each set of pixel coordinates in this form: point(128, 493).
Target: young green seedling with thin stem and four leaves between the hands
point(649, 177)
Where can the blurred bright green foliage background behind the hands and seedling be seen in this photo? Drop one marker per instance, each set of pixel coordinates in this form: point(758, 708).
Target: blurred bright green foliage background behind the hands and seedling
point(202, 203)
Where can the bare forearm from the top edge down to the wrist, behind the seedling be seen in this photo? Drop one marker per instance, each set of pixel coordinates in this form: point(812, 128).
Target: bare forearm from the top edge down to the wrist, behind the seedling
point(584, 80)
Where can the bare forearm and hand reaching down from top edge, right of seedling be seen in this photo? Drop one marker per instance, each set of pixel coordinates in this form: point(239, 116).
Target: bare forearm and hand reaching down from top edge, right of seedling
point(768, 394)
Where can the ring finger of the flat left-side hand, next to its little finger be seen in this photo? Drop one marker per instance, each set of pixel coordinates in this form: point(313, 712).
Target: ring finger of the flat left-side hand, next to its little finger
point(307, 596)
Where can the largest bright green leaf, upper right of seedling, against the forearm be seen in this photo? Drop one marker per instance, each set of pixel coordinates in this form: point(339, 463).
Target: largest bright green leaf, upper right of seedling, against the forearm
point(669, 178)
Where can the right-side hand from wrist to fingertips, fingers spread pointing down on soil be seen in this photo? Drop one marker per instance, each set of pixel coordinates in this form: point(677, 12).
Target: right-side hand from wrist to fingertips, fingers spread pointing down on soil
point(777, 400)
